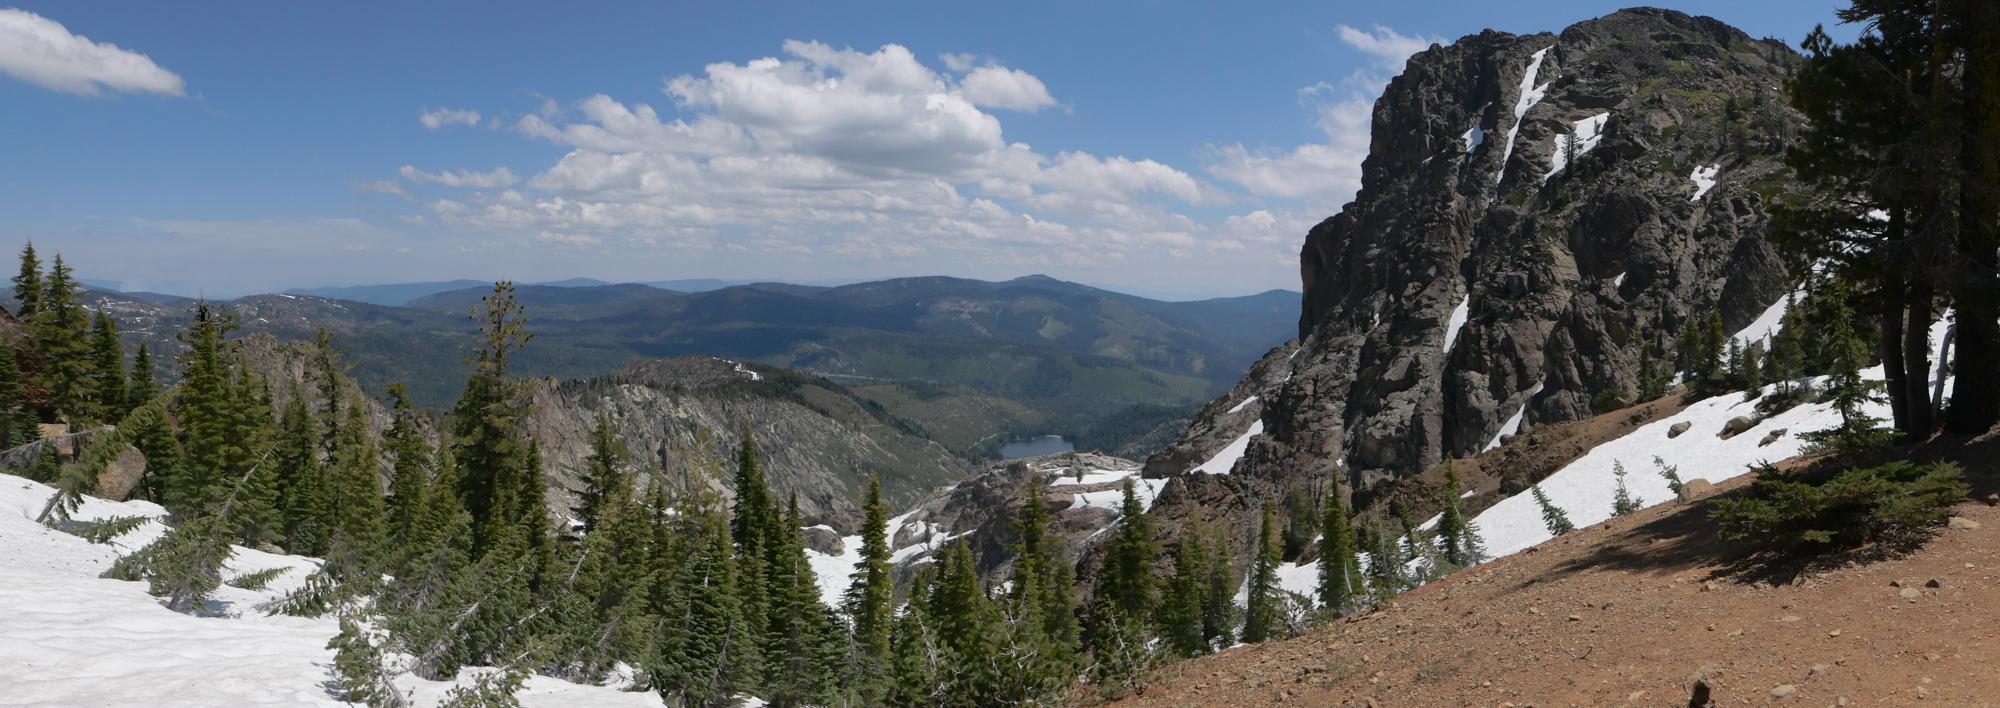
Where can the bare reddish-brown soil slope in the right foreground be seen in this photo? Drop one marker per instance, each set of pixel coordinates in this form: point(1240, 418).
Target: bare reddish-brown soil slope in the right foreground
point(1631, 611)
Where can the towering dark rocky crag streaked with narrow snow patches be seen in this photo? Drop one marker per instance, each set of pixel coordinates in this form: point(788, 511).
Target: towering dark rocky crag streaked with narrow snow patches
point(1535, 215)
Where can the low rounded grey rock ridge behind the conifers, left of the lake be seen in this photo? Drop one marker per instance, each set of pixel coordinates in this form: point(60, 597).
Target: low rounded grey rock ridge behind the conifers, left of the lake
point(689, 413)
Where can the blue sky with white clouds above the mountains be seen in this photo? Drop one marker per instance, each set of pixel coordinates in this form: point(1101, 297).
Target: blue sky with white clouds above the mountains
point(1165, 149)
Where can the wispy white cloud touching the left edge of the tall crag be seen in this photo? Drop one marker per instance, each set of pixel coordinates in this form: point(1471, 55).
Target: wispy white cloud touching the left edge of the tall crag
point(1331, 171)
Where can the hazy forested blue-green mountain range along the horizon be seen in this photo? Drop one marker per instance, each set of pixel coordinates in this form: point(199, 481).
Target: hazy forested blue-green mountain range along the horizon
point(971, 361)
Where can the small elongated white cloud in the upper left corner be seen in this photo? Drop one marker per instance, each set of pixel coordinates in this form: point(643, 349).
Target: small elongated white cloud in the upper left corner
point(45, 53)
